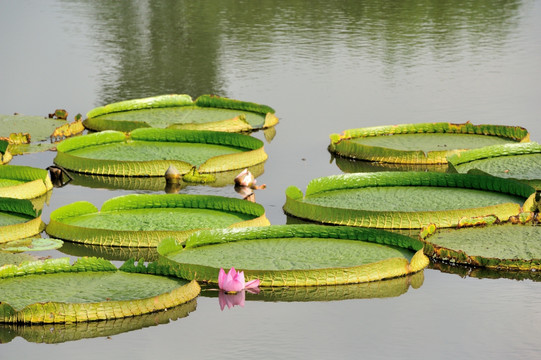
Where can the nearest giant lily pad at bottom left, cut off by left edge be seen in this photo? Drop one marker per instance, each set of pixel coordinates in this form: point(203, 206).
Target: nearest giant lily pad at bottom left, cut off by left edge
point(54, 291)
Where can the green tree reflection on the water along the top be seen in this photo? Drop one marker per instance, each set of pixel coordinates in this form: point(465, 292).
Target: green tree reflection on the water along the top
point(188, 47)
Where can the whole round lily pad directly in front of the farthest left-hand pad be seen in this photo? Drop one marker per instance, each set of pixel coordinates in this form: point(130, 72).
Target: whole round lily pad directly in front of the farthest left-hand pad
point(150, 152)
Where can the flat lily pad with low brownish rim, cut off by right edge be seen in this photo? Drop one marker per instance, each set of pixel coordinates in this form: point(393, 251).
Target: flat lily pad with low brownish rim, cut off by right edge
point(502, 246)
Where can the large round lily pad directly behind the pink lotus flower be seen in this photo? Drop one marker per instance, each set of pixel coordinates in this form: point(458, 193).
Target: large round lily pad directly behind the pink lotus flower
point(296, 255)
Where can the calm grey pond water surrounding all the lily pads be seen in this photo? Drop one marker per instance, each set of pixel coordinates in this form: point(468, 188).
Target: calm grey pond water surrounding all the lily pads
point(325, 66)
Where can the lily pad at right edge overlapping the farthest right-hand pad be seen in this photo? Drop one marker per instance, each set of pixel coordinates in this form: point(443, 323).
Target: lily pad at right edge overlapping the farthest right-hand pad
point(514, 161)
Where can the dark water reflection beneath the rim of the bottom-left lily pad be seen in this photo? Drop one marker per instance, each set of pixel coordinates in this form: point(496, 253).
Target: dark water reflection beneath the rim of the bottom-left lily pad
point(64, 332)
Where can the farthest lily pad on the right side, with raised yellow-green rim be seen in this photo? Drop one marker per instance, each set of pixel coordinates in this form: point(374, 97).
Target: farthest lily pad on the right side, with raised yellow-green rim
point(428, 143)
